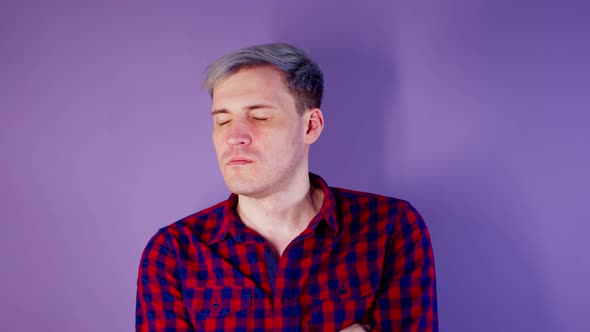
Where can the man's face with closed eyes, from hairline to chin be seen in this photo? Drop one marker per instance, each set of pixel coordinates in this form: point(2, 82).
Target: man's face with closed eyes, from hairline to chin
point(257, 132)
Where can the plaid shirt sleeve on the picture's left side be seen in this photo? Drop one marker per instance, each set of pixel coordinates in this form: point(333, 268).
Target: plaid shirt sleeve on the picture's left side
point(159, 305)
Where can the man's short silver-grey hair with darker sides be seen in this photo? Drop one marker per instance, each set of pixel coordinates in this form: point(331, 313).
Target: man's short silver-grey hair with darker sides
point(304, 78)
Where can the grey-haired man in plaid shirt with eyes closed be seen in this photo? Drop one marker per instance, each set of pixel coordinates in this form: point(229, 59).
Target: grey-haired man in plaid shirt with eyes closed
point(284, 252)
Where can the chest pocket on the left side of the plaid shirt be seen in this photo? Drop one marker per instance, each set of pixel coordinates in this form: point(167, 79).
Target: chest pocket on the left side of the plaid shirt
point(213, 304)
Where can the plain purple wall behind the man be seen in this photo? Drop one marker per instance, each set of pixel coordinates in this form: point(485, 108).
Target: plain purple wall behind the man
point(476, 111)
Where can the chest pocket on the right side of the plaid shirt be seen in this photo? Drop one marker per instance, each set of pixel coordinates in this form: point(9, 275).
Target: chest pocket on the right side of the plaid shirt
point(341, 299)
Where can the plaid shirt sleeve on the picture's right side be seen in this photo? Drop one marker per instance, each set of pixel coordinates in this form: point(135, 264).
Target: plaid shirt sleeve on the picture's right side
point(407, 299)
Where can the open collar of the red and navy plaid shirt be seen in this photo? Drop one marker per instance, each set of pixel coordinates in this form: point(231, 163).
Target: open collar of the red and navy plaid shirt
point(231, 223)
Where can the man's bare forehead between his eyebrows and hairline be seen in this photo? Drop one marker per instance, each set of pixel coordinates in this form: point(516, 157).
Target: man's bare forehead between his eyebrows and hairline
point(253, 84)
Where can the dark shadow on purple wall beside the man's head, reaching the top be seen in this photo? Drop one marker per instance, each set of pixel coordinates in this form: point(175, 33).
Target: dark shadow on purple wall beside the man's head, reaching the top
point(351, 45)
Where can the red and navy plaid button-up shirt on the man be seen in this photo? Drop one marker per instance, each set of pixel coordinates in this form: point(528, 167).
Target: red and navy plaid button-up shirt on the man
point(364, 258)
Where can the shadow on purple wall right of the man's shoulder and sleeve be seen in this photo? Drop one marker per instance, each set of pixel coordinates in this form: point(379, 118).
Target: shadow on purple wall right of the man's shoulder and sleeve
point(485, 273)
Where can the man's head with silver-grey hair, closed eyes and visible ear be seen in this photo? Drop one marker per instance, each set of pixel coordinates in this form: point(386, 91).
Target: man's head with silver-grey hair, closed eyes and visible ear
point(266, 113)
